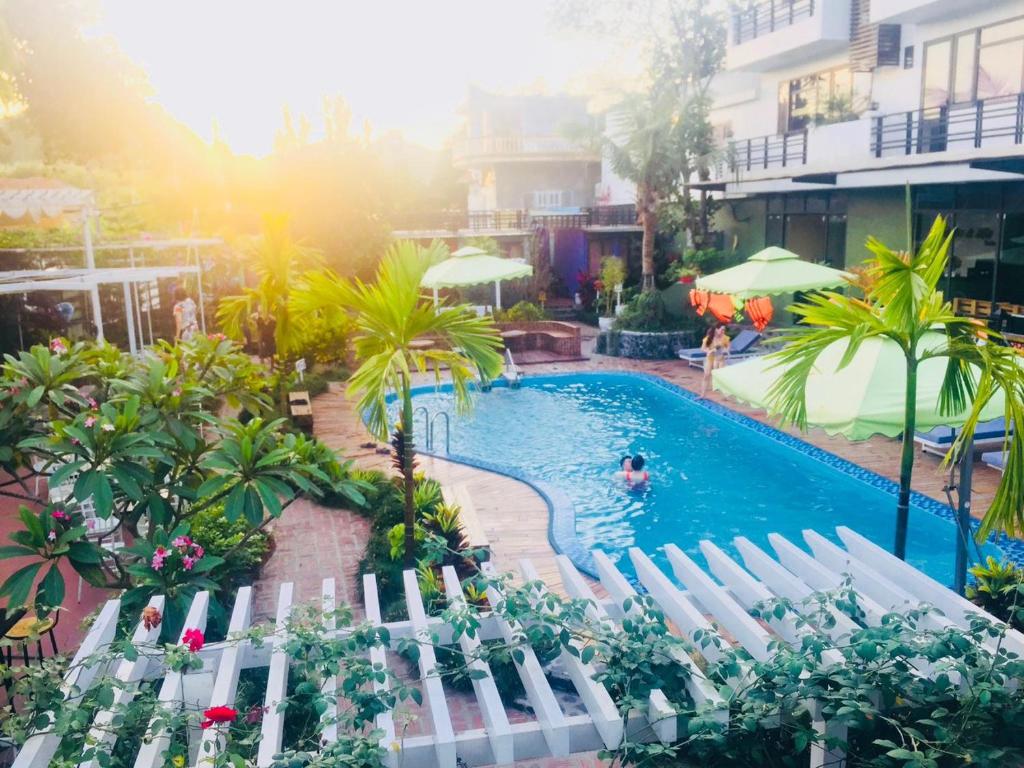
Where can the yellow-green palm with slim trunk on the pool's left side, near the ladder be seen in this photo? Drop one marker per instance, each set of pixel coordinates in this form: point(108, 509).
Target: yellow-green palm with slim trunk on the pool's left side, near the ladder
point(401, 332)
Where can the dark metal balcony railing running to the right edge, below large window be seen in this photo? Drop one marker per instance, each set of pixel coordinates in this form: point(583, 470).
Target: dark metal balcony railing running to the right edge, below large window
point(985, 123)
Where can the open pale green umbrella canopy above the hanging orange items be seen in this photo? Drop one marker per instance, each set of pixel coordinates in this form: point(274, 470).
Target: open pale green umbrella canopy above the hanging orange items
point(771, 273)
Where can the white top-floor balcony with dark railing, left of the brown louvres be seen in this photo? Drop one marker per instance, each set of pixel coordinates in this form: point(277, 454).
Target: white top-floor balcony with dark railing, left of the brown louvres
point(772, 34)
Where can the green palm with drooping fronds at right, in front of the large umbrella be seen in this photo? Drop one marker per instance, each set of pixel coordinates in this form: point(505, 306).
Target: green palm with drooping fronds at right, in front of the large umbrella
point(903, 303)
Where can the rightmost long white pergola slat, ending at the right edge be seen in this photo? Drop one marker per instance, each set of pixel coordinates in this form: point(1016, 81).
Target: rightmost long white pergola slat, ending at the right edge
point(922, 586)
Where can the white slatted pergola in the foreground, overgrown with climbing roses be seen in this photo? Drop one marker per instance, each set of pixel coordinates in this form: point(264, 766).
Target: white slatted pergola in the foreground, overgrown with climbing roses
point(716, 606)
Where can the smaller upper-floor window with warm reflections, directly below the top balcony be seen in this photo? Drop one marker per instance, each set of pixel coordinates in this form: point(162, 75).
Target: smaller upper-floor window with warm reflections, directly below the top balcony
point(821, 99)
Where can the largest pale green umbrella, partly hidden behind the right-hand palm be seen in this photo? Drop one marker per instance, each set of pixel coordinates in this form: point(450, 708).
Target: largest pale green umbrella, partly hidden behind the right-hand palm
point(867, 398)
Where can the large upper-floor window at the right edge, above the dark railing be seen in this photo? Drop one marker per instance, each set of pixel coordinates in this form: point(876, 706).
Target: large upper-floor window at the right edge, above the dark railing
point(980, 64)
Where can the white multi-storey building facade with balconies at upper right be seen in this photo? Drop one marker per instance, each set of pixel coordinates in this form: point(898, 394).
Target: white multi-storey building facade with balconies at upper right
point(831, 109)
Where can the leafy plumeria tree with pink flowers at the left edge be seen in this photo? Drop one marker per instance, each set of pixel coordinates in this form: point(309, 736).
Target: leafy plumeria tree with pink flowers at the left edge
point(117, 454)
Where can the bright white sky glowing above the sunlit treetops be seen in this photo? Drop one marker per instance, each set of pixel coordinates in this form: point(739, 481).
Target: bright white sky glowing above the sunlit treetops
point(402, 65)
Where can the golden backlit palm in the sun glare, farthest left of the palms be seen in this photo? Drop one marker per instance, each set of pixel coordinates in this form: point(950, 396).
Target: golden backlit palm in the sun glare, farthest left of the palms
point(278, 262)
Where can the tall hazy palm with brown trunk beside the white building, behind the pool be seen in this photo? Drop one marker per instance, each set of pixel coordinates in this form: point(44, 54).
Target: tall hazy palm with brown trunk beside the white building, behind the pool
point(645, 149)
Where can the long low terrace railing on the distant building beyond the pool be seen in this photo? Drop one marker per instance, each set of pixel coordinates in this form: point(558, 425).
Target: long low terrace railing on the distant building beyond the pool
point(515, 220)
